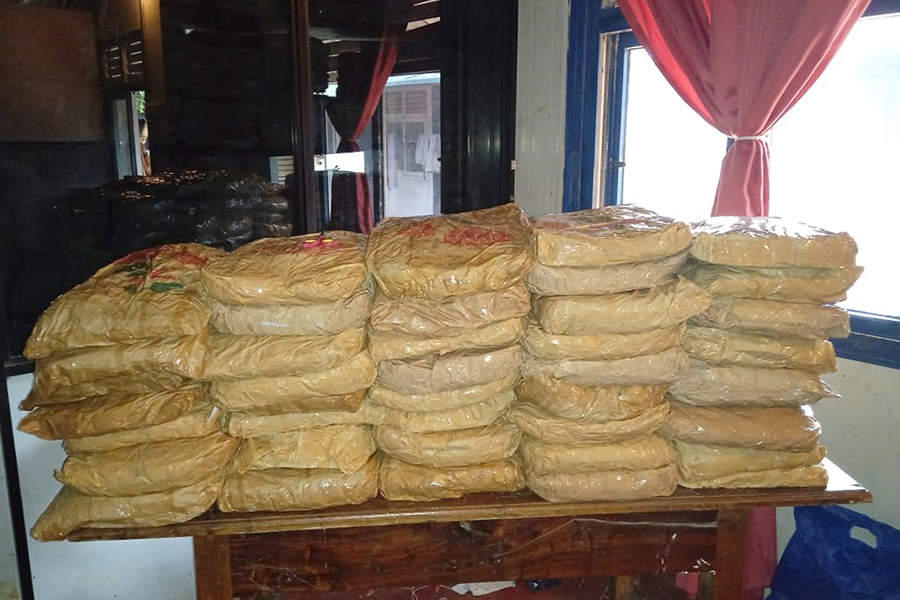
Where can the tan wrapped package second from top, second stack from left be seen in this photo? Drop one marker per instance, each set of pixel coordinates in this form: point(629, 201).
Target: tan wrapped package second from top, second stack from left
point(317, 318)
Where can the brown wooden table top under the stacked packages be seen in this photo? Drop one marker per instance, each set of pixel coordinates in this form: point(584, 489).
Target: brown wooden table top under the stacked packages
point(842, 489)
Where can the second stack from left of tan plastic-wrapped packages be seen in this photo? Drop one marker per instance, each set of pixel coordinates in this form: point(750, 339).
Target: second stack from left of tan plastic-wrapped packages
point(289, 345)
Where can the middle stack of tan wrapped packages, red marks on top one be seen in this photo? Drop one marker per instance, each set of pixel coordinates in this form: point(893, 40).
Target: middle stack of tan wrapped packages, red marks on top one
point(444, 332)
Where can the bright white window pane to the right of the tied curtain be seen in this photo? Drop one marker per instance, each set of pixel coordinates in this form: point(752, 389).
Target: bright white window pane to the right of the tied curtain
point(835, 157)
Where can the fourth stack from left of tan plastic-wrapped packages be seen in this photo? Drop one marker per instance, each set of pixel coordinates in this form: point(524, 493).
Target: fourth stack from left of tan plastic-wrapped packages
point(602, 351)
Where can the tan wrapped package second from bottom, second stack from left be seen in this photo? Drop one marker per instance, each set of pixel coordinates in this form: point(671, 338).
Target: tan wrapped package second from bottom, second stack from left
point(343, 447)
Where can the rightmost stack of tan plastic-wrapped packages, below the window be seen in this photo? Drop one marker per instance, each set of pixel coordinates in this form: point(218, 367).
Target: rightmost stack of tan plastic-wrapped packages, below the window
point(740, 418)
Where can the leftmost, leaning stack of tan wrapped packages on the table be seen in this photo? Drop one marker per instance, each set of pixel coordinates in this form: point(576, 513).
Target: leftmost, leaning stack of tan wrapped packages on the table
point(116, 359)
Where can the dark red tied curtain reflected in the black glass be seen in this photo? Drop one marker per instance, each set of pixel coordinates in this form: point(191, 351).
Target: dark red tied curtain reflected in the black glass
point(361, 81)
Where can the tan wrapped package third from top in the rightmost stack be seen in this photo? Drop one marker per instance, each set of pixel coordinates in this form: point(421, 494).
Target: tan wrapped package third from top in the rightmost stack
point(777, 319)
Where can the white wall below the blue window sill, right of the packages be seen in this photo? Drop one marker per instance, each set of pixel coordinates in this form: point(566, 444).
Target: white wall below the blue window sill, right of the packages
point(861, 431)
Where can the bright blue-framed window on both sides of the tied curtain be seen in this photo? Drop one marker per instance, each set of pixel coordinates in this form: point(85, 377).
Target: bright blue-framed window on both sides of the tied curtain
point(833, 160)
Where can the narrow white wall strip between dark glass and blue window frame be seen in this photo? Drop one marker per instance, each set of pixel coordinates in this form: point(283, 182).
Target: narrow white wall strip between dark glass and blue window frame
point(541, 104)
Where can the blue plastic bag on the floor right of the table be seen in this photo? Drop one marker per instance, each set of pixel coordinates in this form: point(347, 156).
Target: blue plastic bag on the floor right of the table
point(828, 559)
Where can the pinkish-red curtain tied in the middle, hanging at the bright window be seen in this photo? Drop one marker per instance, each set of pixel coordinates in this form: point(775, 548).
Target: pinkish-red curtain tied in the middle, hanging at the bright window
point(742, 64)
